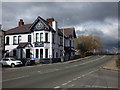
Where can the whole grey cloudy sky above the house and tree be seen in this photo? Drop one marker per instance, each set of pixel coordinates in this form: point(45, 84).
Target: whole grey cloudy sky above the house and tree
point(97, 18)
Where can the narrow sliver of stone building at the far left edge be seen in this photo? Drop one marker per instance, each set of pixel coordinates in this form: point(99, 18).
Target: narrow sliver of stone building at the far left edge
point(1, 43)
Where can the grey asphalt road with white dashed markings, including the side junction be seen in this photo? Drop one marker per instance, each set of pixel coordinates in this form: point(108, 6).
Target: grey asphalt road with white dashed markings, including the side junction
point(86, 73)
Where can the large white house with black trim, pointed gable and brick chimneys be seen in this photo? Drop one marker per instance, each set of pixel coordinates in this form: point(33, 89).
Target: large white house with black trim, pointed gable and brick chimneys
point(42, 39)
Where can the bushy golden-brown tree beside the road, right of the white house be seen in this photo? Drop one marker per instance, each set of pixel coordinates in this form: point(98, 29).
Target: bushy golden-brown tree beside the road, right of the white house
point(87, 44)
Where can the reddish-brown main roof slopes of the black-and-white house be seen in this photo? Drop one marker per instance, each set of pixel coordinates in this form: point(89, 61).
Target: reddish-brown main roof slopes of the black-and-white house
point(26, 28)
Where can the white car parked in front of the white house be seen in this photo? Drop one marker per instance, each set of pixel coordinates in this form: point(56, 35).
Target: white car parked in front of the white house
point(10, 62)
